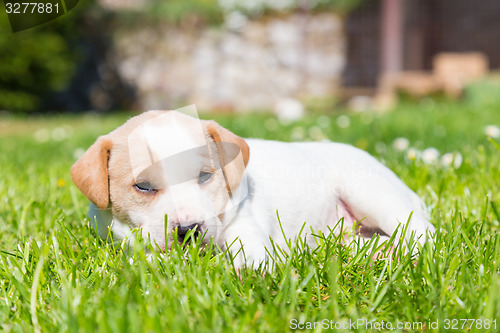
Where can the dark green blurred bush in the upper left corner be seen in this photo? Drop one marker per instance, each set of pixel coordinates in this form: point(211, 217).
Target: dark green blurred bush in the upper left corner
point(37, 61)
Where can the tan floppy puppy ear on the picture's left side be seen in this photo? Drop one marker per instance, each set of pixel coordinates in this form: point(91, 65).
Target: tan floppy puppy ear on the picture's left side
point(90, 172)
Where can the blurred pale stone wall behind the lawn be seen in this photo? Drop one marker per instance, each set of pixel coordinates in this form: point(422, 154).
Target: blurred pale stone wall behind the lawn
point(249, 67)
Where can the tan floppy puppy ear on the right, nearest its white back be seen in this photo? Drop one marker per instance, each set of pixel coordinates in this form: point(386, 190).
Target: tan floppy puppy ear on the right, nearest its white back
point(233, 163)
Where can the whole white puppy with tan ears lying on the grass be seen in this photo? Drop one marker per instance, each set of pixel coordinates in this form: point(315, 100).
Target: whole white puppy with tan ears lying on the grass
point(197, 175)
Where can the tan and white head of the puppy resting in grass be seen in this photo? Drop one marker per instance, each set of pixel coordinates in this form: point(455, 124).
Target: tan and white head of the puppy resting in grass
point(165, 163)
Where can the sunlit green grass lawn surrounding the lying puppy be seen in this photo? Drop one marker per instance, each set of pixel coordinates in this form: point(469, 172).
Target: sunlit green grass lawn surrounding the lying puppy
point(55, 275)
